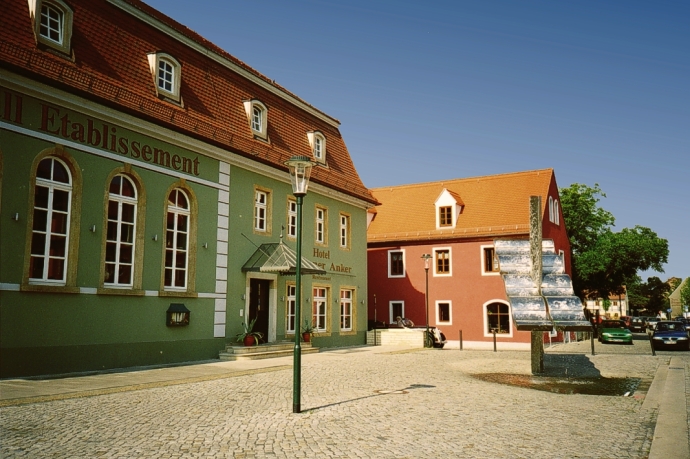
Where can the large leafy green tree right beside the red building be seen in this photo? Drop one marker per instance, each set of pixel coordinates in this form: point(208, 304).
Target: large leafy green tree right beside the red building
point(603, 260)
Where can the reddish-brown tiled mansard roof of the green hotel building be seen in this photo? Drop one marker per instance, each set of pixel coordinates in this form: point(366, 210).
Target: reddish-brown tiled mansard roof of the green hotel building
point(110, 48)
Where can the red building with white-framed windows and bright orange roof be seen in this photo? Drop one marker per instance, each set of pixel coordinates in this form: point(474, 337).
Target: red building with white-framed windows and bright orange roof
point(456, 222)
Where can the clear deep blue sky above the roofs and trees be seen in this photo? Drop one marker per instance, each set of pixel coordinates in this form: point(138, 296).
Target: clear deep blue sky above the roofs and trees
point(597, 90)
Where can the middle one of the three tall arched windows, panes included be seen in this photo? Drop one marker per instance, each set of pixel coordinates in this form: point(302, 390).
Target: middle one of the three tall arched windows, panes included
point(120, 233)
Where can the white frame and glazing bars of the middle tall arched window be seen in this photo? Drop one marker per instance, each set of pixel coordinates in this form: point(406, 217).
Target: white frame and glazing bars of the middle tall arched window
point(121, 200)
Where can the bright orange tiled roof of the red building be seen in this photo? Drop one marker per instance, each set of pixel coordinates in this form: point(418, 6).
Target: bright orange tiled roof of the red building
point(492, 205)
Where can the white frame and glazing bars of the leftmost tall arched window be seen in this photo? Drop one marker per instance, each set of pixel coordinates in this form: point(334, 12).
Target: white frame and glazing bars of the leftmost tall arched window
point(52, 186)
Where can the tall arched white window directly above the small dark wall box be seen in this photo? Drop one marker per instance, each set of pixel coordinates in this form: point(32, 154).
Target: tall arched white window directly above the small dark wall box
point(177, 240)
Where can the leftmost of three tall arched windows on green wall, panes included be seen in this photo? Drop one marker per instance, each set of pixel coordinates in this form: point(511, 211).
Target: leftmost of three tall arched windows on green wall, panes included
point(51, 219)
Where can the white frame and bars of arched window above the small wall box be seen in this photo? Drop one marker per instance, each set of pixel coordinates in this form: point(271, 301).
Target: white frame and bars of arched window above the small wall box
point(173, 249)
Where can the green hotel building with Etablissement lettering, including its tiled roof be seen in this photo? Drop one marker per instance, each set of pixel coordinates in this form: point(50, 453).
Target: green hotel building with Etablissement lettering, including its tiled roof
point(143, 190)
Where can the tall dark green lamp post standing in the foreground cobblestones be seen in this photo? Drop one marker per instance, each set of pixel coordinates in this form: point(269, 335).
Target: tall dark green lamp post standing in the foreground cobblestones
point(300, 169)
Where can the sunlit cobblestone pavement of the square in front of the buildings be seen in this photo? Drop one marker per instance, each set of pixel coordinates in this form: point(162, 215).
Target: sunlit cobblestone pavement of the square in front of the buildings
point(442, 411)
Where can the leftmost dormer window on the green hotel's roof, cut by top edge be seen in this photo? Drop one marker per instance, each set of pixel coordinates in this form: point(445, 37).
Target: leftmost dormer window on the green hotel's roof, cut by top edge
point(52, 24)
